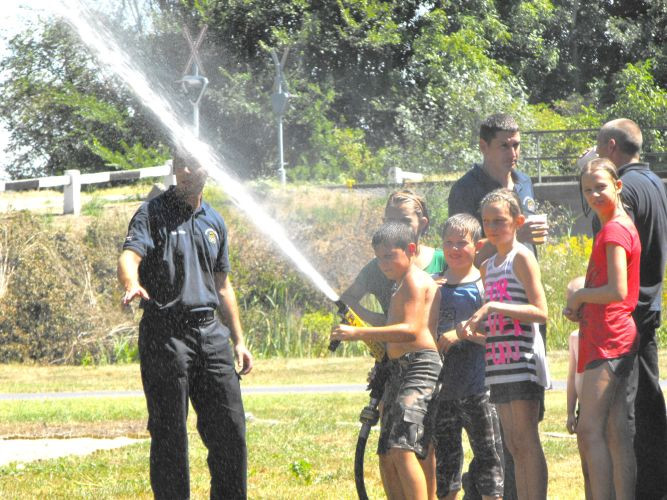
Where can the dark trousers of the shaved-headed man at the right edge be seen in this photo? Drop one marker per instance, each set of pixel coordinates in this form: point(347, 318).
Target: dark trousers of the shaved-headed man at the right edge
point(647, 411)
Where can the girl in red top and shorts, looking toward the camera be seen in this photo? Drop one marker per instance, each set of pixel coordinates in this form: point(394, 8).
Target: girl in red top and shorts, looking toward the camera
point(607, 336)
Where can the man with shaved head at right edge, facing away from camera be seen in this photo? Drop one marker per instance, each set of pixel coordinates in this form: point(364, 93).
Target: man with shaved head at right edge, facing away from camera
point(645, 201)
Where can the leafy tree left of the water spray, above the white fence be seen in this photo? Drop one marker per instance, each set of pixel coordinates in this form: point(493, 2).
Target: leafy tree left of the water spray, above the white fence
point(62, 112)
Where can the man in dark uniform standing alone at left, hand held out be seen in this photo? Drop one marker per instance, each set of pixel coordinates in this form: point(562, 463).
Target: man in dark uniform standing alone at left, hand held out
point(175, 259)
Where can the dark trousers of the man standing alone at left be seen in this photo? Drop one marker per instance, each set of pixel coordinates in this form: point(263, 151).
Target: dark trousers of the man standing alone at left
point(190, 357)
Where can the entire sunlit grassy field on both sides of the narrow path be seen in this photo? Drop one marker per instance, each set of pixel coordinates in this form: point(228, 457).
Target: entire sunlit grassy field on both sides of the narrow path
point(300, 446)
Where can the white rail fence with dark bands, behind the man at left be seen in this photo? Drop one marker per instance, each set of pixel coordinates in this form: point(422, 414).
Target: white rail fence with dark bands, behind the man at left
point(74, 179)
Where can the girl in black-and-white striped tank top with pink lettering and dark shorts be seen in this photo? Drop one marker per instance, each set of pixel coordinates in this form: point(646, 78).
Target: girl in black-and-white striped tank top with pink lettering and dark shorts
point(515, 363)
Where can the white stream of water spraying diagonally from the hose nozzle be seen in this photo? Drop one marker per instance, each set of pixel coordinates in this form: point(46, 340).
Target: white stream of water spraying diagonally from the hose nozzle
point(108, 52)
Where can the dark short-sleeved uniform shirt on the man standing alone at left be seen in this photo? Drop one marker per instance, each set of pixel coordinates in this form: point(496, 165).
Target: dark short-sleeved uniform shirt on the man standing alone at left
point(181, 249)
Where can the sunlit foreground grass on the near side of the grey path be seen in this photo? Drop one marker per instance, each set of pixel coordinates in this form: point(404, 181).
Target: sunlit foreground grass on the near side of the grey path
point(299, 447)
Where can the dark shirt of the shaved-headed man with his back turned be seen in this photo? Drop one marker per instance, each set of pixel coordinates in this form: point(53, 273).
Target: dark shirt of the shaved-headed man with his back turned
point(645, 201)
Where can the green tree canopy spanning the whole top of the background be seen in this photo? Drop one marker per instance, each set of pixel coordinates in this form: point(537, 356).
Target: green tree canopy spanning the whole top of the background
point(373, 83)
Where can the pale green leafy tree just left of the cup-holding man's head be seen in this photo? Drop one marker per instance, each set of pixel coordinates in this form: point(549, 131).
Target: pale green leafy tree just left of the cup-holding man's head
point(457, 84)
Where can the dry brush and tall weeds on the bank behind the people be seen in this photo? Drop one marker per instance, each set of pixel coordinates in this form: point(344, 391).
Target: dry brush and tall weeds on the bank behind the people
point(59, 296)
